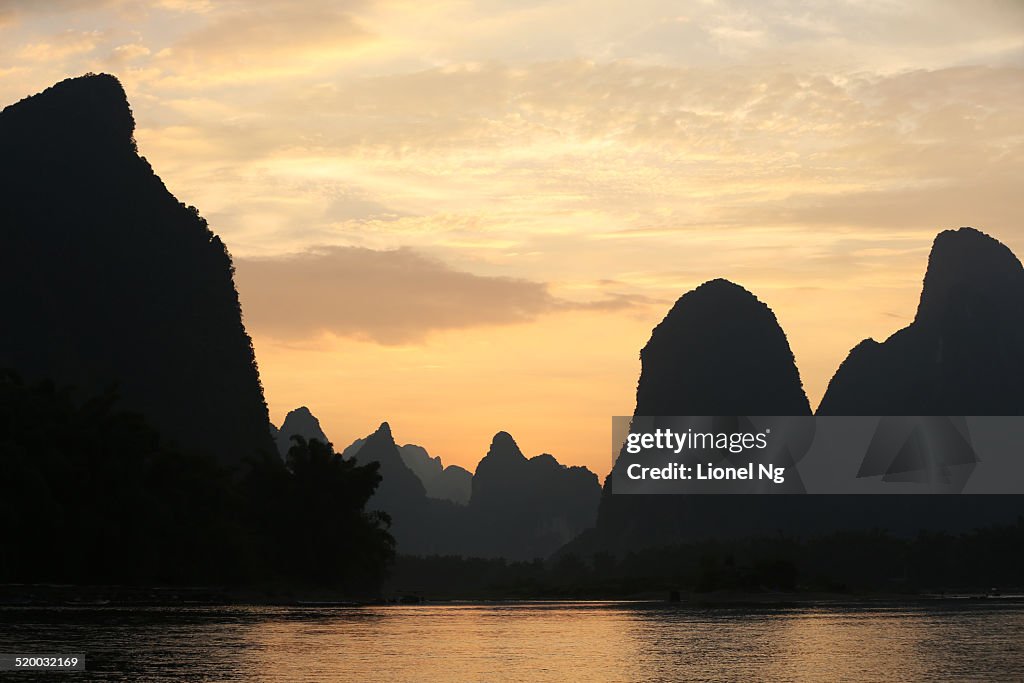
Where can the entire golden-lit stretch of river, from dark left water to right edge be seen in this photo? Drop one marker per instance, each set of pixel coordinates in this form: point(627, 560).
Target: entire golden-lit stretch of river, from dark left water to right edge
point(624, 643)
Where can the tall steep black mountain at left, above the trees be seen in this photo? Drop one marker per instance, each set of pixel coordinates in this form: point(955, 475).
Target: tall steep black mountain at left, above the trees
point(107, 279)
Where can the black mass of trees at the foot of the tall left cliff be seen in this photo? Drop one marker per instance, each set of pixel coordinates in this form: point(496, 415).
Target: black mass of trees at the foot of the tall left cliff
point(92, 495)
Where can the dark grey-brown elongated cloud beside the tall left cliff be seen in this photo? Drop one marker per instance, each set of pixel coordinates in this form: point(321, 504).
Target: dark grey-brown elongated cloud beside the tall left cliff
point(390, 297)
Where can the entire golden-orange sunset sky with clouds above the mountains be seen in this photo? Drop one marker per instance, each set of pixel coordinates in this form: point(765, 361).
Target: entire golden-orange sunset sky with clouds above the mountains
point(465, 218)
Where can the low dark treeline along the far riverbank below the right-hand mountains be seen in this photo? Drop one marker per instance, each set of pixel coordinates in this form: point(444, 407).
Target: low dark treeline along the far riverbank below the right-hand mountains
point(854, 563)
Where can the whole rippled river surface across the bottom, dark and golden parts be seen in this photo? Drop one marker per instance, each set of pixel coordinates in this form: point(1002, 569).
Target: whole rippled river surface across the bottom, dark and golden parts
point(567, 642)
